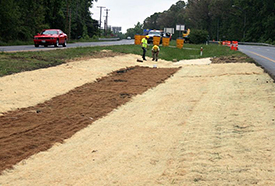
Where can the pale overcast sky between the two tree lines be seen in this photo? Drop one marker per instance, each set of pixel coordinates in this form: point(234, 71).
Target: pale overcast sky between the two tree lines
point(127, 13)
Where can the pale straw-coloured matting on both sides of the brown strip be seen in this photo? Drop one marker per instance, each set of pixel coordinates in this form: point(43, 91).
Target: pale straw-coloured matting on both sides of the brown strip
point(206, 125)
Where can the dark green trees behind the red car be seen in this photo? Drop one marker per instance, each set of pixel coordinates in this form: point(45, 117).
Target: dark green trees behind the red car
point(22, 19)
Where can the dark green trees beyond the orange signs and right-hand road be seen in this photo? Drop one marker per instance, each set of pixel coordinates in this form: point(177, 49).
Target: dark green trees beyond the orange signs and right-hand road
point(241, 20)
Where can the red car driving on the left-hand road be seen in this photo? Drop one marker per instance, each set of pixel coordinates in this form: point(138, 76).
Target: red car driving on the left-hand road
point(50, 37)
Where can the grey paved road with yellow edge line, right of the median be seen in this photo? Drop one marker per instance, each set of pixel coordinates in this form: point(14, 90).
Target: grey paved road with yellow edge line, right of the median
point(263, 55)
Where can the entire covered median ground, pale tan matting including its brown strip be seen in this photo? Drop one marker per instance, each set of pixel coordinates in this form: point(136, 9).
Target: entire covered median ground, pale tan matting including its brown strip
point(199, 124)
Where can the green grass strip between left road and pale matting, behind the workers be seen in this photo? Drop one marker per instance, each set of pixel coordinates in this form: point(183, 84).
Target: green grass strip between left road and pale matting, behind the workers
point(25, 61)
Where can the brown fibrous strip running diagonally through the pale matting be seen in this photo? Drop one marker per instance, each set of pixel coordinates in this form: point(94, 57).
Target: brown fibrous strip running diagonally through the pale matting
point(27, 131)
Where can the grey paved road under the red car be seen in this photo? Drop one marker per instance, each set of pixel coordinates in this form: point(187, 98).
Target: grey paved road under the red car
point(73, 45)
